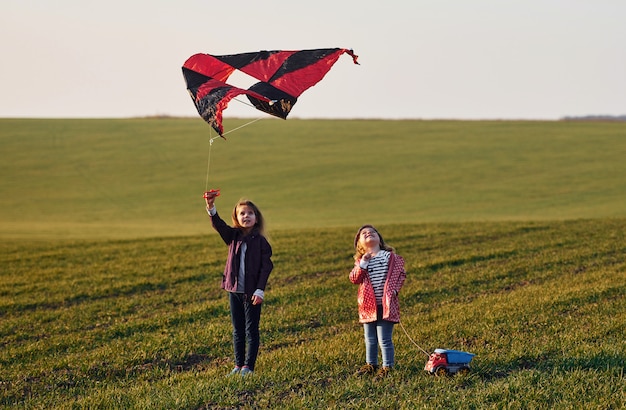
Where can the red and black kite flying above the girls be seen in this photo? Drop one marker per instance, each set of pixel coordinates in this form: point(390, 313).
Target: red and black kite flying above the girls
point(283, 76)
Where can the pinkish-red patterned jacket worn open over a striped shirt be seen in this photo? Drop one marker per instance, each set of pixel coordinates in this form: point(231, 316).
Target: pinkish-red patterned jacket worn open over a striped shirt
point(366, 298)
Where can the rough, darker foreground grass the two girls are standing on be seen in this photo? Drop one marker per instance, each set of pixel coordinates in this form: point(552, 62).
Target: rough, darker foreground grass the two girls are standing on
point(143, 324)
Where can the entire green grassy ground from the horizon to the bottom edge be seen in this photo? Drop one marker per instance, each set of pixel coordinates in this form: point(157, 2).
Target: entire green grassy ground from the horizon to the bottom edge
point(513, 233)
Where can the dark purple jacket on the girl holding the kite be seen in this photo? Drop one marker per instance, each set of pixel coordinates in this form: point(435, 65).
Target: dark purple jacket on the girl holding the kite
point(258, 262)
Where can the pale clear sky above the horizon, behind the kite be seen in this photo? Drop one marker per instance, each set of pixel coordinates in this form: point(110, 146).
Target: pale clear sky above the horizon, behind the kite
point(426, 59)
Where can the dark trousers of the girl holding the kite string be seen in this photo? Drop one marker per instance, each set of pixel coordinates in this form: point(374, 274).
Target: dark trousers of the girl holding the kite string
point(245, 318)
